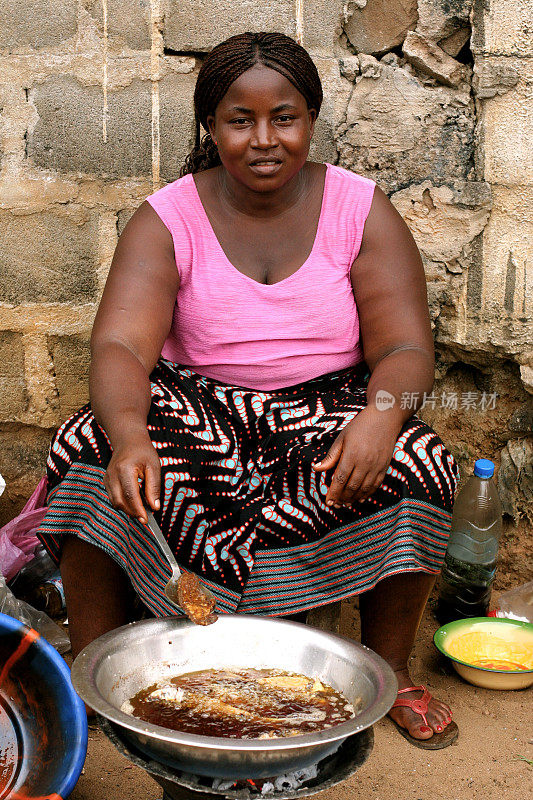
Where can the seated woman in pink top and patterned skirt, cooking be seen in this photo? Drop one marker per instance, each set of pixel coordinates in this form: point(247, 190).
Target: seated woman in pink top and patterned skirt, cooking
point(263, 317)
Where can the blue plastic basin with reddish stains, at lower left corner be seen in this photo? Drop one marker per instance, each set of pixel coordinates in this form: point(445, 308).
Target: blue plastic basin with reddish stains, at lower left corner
point(43, 724)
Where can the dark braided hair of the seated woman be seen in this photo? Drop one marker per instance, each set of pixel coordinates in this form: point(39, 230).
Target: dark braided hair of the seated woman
point(227, 62)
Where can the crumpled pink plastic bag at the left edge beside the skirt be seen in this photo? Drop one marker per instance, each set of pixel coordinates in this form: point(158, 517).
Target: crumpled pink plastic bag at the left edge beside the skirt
point(17, 538)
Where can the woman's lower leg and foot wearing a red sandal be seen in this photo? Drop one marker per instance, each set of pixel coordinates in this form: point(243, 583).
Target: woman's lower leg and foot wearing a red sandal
point(390, 616)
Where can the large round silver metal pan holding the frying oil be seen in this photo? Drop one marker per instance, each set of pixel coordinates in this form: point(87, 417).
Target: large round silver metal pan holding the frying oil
point(117, 665)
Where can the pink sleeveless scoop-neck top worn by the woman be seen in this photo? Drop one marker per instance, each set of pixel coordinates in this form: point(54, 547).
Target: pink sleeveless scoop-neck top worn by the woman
point(233, 329)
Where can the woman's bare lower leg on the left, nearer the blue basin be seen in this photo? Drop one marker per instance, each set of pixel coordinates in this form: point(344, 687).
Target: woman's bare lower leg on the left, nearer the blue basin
point(96, 592)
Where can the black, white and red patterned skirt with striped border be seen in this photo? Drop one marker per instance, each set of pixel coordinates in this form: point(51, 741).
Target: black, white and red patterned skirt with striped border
point(241, 505)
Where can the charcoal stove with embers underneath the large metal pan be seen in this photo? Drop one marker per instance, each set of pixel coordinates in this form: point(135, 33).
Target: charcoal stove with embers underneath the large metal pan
point(178, 785)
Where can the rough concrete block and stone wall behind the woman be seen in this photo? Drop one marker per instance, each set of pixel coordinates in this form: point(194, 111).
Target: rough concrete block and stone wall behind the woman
point(428, 98)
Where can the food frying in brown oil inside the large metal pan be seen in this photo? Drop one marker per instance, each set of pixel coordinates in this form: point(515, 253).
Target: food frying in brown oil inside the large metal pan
point(245, 704)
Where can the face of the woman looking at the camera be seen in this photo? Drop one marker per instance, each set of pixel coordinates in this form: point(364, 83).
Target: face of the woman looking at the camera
point(263, 129)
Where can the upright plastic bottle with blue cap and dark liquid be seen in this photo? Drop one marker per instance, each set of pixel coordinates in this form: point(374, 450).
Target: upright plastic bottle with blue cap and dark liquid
point(470, 562)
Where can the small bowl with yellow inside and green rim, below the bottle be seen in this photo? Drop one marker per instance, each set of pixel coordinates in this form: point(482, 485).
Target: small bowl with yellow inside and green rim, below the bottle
point(489, 652)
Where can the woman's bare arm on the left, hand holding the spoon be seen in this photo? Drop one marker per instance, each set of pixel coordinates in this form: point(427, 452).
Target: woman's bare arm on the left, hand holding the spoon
point(131, 325)
